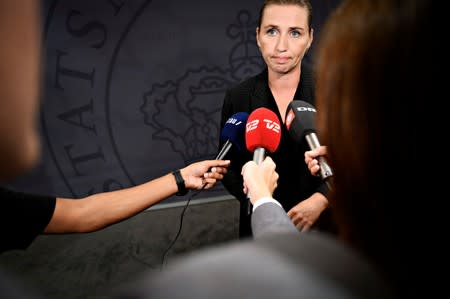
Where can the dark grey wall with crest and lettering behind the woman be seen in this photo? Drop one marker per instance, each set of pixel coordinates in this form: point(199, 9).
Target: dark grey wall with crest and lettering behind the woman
point(133, 90)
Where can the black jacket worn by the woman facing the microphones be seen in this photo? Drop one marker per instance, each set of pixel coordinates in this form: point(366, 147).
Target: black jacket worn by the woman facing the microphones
point(295, 182)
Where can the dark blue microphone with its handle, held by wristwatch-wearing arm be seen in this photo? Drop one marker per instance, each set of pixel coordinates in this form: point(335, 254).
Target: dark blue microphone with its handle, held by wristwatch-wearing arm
point(233, 134)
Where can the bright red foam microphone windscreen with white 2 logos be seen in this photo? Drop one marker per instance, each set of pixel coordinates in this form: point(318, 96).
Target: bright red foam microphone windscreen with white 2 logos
point(262, 130)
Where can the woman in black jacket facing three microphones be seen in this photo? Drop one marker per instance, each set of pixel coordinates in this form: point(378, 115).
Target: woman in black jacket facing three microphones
point(284, 35)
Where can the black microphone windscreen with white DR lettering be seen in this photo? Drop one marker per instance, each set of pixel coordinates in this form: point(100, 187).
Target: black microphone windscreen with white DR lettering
point(300, 119)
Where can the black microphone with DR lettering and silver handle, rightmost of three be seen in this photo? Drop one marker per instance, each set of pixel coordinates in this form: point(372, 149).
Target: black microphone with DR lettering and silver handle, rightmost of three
point(300, 122)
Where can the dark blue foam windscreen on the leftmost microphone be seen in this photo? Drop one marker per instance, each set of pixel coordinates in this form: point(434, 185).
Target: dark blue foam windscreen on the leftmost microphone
point(233, 130)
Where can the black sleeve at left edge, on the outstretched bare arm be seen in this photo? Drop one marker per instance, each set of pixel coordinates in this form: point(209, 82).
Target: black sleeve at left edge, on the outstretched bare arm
point(23, 217)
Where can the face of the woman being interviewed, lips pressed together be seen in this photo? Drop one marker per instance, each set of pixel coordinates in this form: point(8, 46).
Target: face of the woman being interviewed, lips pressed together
point(284, 37)
